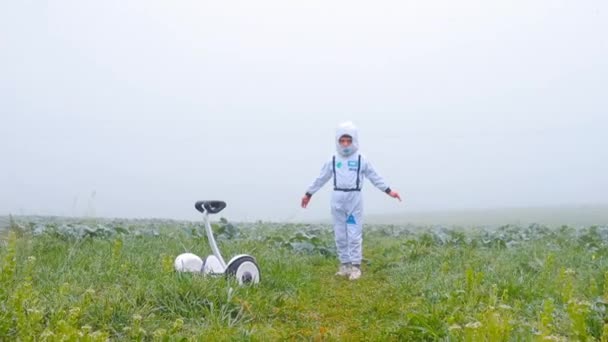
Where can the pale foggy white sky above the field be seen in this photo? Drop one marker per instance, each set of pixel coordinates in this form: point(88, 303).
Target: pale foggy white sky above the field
point(140, 108)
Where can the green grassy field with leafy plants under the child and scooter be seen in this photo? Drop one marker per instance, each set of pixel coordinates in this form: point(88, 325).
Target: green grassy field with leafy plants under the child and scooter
point(513, 284)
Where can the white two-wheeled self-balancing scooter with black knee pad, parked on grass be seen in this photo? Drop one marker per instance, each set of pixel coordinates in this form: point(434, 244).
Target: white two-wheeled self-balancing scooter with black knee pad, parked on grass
point(242, 266)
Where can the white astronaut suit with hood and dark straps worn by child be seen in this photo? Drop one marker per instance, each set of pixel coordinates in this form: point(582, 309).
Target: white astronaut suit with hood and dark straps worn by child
point(348, 168)
